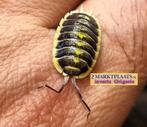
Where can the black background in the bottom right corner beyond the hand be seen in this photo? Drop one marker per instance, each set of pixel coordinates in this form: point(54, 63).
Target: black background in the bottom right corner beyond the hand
point(138, 115)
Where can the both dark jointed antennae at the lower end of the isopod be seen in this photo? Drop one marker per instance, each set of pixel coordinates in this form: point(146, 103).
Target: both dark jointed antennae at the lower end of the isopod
point(73, 80)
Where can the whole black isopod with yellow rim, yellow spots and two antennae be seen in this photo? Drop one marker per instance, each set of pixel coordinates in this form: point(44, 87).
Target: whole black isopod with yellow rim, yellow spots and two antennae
point(76, 48)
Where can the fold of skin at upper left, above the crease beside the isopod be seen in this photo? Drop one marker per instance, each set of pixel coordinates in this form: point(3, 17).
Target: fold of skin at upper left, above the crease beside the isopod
point(42, 12)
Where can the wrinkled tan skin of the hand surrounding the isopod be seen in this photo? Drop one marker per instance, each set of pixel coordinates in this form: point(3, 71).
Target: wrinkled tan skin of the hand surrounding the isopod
point(26, 36)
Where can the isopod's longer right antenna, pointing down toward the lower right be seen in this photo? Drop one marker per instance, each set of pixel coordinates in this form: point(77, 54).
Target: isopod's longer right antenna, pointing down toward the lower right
point(79, 93)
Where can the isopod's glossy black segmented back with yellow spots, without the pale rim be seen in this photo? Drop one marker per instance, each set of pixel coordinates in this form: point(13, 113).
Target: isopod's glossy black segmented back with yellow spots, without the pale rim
point(77, 43)
